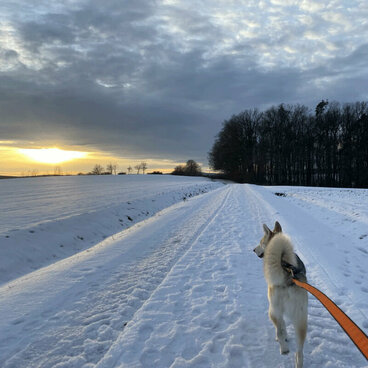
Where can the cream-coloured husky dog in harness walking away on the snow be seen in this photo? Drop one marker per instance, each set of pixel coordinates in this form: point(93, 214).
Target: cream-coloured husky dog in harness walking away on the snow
point(285, 298)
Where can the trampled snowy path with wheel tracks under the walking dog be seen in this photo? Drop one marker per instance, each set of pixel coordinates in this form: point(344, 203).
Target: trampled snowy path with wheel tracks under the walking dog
point(181, 289)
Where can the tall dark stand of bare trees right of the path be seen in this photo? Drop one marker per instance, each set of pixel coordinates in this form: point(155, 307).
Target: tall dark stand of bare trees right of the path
point(293, 145)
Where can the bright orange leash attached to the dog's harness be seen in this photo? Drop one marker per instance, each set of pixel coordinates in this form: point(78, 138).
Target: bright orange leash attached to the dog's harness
point(356, 335)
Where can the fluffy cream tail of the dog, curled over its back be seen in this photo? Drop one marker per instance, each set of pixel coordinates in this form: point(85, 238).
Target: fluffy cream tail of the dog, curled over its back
point(279, 249)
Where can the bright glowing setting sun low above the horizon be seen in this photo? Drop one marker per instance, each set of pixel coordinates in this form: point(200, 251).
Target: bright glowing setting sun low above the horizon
point(51, 155)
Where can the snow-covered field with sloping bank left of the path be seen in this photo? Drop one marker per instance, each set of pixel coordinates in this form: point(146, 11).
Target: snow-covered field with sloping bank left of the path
point(47, 219)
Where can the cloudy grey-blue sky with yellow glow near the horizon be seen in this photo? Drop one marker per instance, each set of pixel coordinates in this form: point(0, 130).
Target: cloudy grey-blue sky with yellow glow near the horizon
point(127, 81)
